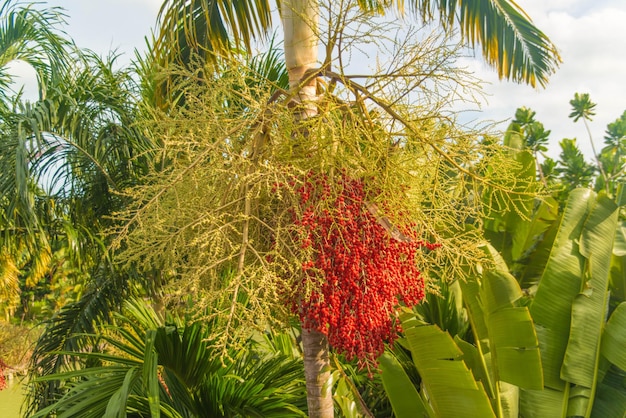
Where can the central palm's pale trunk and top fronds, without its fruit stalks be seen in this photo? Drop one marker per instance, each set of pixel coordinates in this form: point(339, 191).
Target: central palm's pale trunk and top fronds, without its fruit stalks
point(509, 41)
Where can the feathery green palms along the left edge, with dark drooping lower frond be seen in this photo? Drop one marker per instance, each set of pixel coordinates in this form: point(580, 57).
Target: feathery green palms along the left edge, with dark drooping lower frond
point(63, 159)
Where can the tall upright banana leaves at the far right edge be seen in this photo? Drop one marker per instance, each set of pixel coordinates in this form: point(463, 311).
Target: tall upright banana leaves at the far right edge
point(582, 353)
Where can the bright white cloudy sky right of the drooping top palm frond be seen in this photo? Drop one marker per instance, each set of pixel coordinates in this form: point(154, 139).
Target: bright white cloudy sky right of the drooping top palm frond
point(591, 37)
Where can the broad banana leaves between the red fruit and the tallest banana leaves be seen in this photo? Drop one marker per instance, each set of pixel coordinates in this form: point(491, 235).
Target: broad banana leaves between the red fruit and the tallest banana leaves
point(463, 379)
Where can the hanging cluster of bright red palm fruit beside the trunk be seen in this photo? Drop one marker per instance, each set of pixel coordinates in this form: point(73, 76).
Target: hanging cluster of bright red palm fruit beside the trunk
point(366, 273)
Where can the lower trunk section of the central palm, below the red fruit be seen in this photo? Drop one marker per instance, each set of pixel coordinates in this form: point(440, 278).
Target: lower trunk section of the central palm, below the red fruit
point(317, 374)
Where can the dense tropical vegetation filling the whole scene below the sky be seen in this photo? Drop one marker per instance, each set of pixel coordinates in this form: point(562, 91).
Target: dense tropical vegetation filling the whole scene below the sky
point(190, 230)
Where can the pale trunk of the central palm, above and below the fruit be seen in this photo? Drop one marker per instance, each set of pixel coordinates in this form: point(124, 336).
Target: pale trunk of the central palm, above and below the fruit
point(300, 22)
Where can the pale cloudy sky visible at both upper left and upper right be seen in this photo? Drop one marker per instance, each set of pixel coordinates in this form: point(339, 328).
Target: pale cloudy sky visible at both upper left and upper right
point(589, 34)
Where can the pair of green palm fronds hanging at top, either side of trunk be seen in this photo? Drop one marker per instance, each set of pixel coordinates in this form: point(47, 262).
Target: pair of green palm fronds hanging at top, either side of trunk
point(509, 40)
